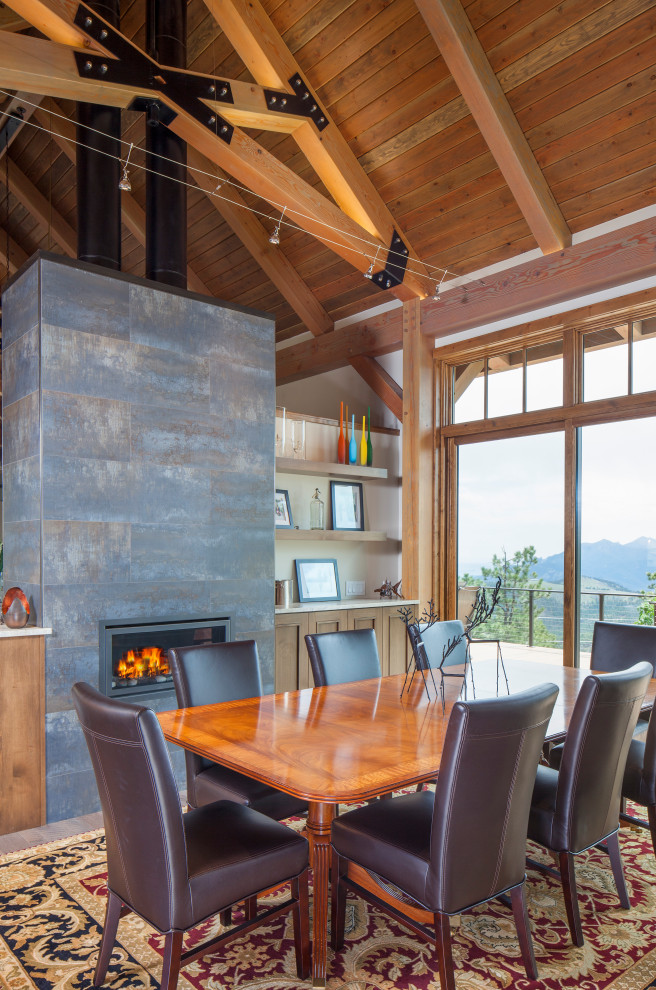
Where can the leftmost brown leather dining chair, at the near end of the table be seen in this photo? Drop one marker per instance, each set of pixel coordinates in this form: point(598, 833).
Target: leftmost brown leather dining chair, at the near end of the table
point(172, 869)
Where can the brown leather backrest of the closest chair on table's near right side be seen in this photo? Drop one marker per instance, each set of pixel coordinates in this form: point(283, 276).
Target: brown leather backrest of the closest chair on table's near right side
point(483, 796)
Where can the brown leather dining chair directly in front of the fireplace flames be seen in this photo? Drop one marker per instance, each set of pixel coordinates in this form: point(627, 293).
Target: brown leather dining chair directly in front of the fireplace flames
point(208, 674)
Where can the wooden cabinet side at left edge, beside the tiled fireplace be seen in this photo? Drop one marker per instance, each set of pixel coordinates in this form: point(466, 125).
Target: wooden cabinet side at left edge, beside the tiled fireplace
point(22, 732)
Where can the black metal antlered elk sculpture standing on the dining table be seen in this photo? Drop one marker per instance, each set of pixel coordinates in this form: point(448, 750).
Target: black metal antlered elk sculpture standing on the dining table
point(416, 627)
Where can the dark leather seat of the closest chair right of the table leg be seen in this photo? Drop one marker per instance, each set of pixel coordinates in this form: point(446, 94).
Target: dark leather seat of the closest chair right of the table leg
point(395, 832)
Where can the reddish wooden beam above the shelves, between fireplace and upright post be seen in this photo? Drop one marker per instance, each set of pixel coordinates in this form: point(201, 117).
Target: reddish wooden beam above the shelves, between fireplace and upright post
point(374, 337)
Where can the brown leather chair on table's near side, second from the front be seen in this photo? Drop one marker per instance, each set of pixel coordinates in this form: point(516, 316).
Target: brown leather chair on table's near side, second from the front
point(577, 806)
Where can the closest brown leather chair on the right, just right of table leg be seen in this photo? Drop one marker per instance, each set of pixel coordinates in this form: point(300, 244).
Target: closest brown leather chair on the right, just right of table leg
point(438, 855)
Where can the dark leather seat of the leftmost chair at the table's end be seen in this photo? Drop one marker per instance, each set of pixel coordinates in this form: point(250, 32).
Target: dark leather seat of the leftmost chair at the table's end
point(237, 851)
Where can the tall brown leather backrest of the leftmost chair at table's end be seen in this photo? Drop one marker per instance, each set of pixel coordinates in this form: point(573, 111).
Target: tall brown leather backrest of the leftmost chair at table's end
point(146, 850)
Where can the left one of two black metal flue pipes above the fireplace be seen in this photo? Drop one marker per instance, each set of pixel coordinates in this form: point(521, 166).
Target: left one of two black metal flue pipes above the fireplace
point(98, 172)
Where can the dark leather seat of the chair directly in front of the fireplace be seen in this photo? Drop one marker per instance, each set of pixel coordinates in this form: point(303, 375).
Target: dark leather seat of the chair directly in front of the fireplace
point(218, 783)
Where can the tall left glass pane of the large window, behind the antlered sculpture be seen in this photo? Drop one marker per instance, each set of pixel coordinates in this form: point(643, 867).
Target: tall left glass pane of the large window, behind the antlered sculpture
point(510, 525)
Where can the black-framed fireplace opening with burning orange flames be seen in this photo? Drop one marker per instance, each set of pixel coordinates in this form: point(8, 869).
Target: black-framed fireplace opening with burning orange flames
point(133, 654)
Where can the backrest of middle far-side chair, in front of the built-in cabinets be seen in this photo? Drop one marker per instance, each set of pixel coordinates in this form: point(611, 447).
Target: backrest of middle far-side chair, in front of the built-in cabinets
point(340, 657)
